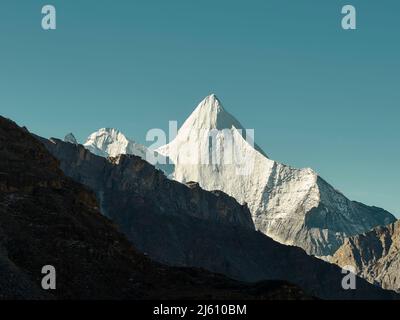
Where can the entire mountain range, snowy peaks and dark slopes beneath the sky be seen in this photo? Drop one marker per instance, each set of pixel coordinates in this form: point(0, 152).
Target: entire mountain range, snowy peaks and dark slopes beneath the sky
point(214, 208)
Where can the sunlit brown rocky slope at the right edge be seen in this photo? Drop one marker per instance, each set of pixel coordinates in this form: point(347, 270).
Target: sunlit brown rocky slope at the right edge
point(375, 256)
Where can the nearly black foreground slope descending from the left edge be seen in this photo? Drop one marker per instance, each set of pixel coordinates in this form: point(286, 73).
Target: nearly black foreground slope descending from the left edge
point(48, 219)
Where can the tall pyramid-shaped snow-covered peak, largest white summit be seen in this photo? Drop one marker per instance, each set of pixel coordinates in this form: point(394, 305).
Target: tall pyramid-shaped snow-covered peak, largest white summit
point(293, 206)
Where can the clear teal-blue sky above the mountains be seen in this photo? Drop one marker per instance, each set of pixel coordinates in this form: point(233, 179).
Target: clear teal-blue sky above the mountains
point(316, 95)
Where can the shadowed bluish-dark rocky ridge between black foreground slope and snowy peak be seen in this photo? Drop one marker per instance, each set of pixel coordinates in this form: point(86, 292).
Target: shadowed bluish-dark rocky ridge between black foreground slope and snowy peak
point(187, 226)
